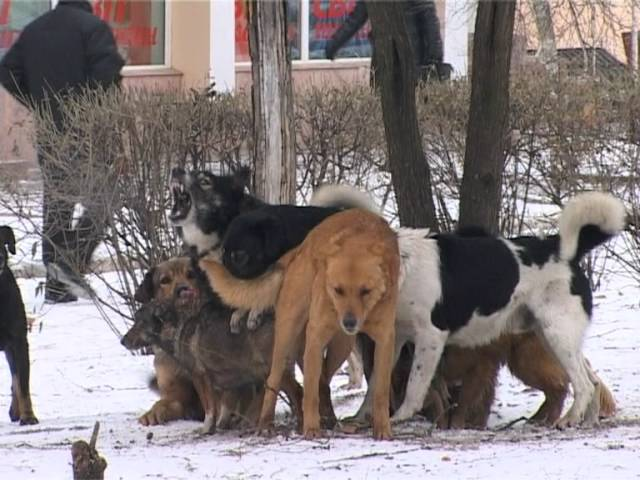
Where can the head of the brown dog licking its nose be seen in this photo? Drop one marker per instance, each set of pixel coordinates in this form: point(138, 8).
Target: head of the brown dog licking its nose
point(175, 279)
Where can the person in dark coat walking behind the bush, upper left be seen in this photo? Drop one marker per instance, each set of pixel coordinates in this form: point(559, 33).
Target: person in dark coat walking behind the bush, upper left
point(61, 52)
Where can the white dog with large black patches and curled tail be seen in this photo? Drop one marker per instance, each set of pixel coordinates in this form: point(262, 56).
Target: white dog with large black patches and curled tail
point(467, 290)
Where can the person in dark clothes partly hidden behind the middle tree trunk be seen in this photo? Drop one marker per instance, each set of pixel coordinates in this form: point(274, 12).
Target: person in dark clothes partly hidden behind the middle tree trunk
point(423, 29)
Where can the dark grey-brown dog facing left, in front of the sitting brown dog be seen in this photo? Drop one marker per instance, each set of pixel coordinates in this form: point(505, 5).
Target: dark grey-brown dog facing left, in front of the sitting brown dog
point(227, 370)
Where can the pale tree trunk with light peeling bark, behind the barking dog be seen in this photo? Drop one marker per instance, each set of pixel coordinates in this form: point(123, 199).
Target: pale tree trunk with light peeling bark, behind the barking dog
point(272, 100)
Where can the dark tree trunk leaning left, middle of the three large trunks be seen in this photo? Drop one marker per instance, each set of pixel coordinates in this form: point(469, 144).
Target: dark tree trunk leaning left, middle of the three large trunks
point(395, 74)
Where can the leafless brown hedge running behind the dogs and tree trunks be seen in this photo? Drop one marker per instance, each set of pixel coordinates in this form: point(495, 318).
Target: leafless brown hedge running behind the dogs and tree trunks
point(565, 135)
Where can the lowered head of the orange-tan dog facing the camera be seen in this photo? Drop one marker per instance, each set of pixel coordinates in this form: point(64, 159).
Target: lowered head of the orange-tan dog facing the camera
point(355, 282)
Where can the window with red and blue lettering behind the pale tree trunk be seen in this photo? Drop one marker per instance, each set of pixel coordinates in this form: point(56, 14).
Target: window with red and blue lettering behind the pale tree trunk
point(322, 19)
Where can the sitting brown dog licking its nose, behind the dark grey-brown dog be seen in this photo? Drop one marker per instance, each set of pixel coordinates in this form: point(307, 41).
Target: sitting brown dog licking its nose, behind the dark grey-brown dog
point(170, 280)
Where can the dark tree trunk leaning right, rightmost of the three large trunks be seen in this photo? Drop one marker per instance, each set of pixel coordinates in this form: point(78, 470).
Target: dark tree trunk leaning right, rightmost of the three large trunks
point(480, 193)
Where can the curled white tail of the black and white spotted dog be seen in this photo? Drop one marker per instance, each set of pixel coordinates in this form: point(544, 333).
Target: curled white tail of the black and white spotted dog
point(588, 220)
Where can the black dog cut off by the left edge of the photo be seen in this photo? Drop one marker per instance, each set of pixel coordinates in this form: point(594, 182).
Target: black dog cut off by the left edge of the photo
point(13, 334)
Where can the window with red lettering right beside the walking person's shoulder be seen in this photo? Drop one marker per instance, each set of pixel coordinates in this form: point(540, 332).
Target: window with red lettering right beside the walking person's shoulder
point(139, 28)
